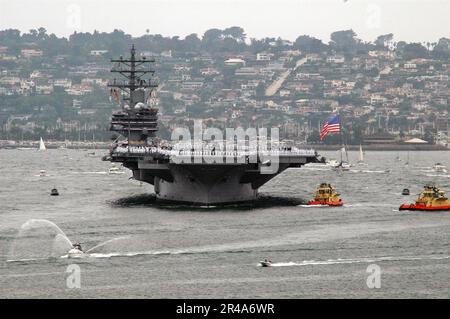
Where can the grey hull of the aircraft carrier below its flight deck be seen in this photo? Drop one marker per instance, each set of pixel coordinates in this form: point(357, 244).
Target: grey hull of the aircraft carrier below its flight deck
point(204, 184)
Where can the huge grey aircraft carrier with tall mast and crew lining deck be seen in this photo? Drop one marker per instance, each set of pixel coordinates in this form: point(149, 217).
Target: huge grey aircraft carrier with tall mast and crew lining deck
point(202, 174)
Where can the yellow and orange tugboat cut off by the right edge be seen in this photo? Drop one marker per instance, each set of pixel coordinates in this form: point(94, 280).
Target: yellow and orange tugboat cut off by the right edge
point(430, 199)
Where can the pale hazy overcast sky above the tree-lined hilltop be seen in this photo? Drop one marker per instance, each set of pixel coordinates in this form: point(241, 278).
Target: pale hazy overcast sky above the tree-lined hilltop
point(409, 20)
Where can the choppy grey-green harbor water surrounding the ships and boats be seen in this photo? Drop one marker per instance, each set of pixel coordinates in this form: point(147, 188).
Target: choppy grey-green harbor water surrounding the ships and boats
point(140, 248)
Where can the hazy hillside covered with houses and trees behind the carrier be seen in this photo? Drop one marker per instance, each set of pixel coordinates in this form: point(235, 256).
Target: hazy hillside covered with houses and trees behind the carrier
point(57, 87)
